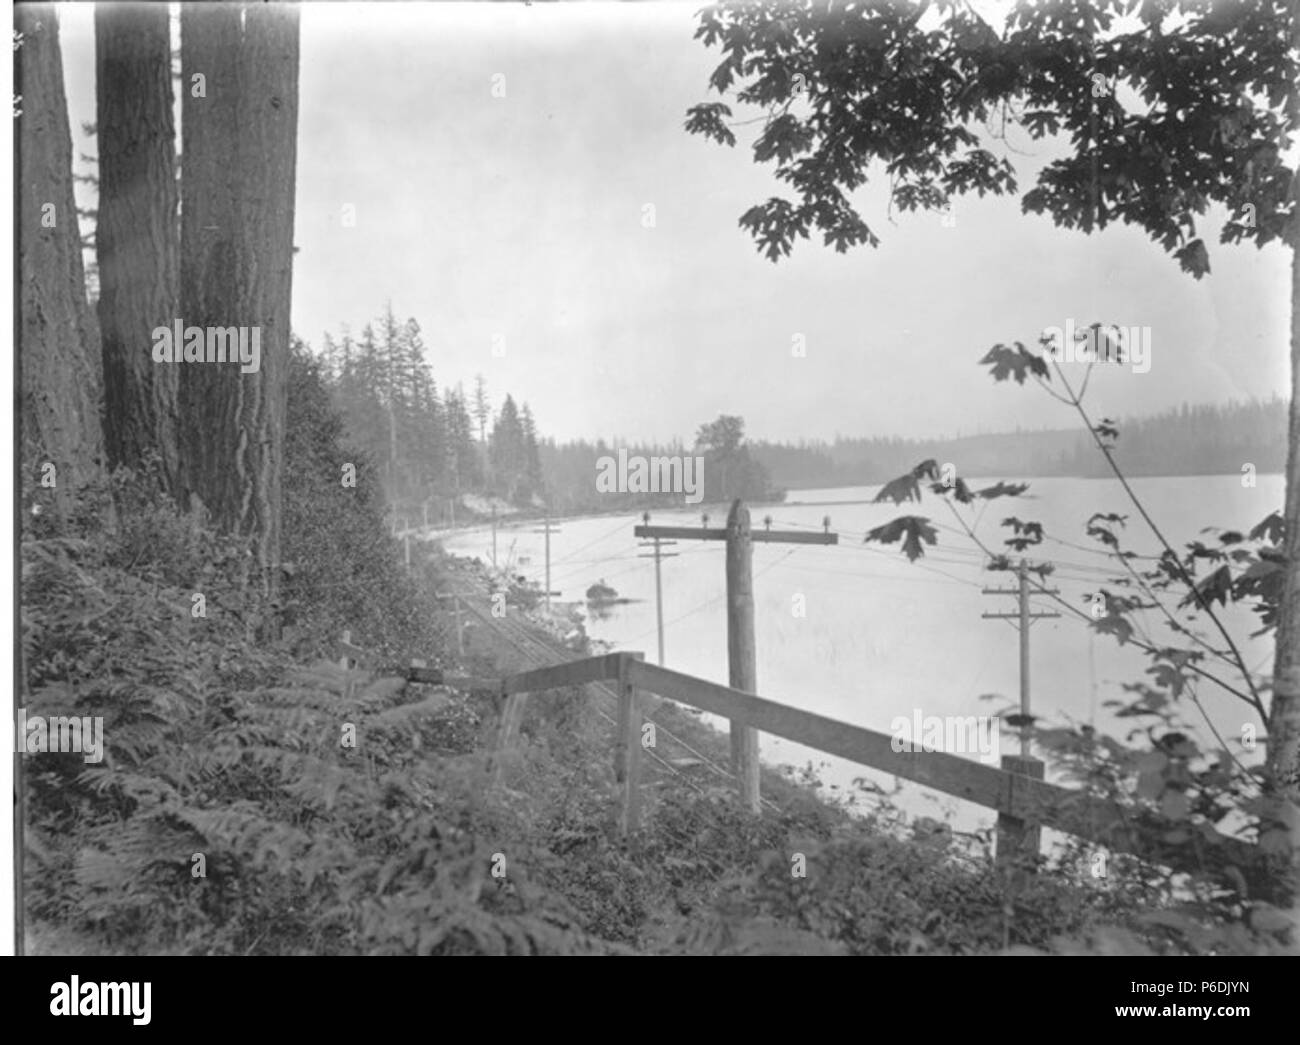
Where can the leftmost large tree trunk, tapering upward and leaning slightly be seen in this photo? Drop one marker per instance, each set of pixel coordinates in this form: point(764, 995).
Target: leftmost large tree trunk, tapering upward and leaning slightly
point(59, 359)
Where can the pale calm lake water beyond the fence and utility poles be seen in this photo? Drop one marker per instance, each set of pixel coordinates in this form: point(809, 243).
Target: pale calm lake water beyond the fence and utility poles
point(883, 638)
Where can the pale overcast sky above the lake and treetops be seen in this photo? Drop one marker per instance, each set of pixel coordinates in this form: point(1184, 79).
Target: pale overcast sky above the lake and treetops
point(525, 189)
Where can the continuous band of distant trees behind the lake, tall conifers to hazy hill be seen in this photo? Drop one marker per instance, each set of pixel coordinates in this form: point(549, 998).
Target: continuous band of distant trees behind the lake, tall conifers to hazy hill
point(436, 446)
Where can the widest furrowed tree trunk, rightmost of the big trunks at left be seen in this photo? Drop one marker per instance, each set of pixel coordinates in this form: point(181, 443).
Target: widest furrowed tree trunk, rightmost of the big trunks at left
point(240, 129)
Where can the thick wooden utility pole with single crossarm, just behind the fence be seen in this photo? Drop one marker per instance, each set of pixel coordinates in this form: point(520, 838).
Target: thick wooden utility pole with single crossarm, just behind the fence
point(742, 661)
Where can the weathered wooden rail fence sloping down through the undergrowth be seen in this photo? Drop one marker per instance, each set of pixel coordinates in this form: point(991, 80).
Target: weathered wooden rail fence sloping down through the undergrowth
point(1024, 801)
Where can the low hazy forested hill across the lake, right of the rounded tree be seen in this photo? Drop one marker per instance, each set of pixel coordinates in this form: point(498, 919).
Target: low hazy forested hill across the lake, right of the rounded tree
point(1193, 440)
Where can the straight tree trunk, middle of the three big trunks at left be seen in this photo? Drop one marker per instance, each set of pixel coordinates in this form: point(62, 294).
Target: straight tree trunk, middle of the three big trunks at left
point(137, 233)
